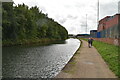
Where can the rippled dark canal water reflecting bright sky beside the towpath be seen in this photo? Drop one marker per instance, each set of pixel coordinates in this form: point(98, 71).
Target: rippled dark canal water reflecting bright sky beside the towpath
point(37, 61)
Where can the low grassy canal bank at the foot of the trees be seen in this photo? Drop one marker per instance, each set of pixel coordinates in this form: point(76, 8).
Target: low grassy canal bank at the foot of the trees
point(42, 41)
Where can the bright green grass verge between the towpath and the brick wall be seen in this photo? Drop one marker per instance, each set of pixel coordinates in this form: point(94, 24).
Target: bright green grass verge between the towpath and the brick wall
point(110, 55)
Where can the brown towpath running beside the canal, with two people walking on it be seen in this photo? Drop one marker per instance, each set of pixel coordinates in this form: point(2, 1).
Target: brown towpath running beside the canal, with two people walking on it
point(87, 63)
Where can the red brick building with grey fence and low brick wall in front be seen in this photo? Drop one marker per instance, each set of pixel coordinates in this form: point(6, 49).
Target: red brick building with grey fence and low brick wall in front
point(109, 30)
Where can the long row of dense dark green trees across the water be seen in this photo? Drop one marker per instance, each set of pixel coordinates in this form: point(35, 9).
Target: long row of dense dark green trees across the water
point(21, 22)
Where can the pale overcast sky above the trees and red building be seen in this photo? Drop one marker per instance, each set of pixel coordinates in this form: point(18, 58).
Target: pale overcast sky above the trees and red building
point(72, 13)
